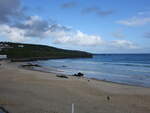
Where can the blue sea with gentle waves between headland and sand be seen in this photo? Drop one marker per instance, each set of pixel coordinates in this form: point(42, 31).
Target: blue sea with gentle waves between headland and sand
point(130, 69)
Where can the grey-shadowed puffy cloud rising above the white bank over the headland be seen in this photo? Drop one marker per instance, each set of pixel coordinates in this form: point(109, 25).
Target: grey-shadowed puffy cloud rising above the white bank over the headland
point(35, 26)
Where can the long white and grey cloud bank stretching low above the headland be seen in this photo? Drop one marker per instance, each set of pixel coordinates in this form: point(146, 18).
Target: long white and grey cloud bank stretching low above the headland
point(39, 28)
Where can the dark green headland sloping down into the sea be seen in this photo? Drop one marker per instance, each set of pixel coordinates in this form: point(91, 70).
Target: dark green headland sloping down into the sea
point(19, 51)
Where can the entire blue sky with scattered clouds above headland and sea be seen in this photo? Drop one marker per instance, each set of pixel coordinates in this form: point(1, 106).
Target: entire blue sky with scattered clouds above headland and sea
point(97, 26)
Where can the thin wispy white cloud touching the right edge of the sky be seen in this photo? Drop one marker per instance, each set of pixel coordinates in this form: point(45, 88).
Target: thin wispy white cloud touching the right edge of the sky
point(143, 18)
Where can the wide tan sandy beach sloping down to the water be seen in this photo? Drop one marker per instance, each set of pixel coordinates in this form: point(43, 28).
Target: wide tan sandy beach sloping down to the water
point(28, 91)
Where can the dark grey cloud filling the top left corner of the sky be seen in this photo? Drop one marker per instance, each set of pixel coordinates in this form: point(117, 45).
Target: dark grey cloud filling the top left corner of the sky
point(10, 10)
